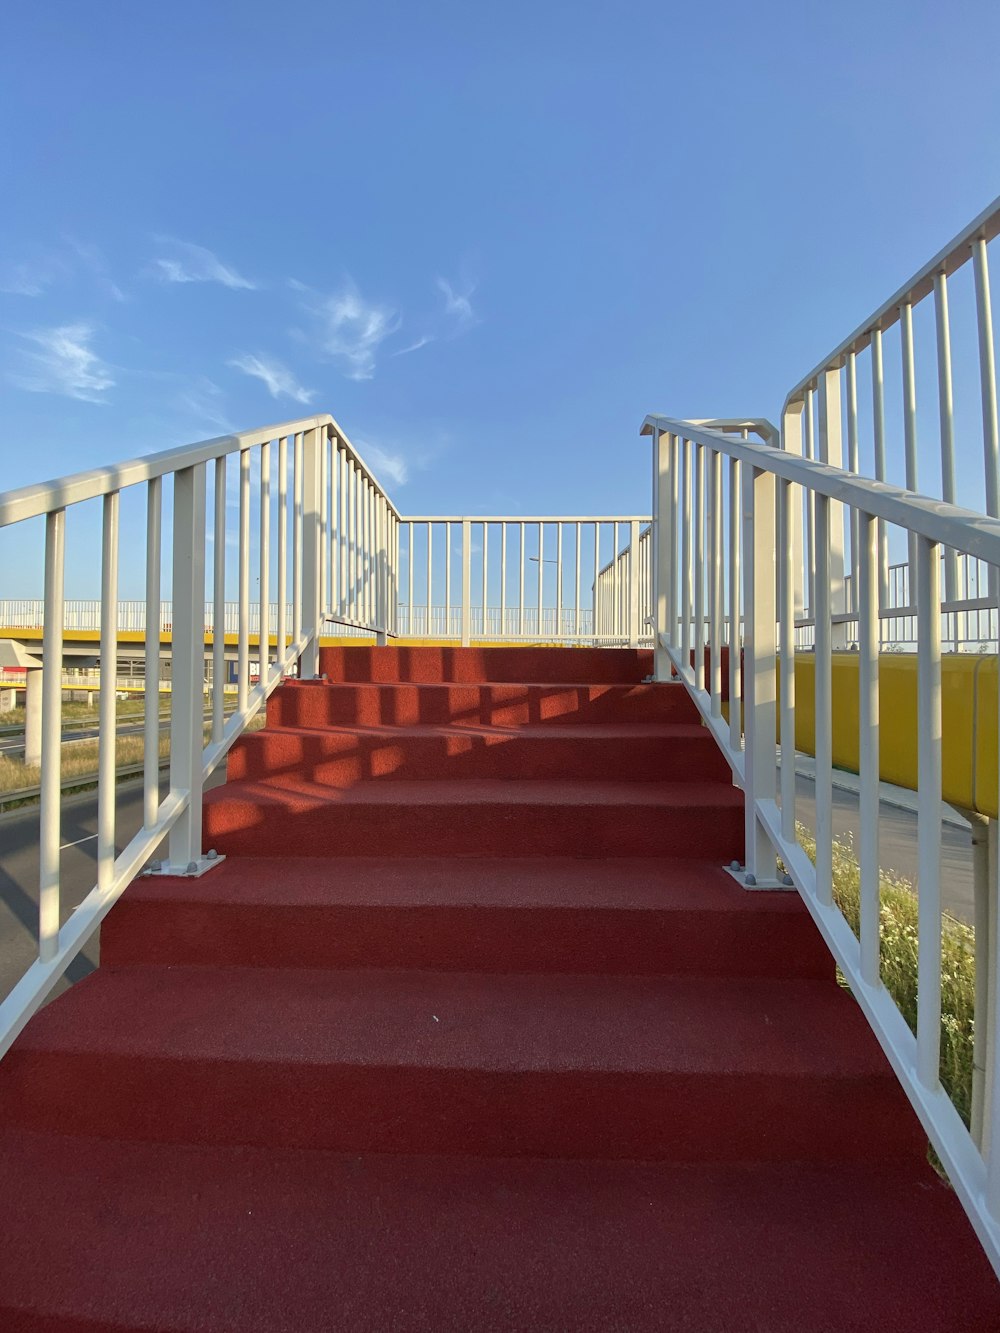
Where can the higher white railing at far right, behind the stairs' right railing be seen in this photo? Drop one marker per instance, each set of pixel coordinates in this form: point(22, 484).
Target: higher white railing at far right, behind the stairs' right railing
point(851, 409)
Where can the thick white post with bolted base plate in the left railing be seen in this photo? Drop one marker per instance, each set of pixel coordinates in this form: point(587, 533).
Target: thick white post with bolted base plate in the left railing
point(189, 670)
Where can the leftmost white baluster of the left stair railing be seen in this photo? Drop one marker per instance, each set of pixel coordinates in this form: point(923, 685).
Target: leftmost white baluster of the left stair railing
point(51, 808)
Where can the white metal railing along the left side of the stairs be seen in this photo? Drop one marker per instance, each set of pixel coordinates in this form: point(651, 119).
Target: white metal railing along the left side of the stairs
point(314, 523)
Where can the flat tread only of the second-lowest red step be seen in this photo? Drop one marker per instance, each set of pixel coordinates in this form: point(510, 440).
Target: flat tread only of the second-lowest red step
point(465, 1022)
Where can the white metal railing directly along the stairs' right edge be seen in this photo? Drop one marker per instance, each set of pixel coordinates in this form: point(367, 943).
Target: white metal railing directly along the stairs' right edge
point(727, 567)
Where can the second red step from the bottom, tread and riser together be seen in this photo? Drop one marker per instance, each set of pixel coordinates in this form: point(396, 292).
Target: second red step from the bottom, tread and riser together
point(654, 1068)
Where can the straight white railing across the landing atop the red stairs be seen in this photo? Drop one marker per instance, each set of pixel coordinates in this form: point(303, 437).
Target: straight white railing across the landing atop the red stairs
point(513, 579)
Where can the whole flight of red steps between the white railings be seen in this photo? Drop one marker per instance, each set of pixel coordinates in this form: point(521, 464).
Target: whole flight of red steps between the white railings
point(470, 1032)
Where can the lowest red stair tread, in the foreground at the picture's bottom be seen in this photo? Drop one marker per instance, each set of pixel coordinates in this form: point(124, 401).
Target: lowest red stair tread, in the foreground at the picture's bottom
point(102, 1235)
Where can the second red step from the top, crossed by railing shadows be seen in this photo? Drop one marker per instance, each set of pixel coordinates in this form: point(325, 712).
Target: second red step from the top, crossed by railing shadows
point(319, 704)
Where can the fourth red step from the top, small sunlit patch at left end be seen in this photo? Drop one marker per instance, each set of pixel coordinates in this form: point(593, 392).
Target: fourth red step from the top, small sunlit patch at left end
point(475, 818)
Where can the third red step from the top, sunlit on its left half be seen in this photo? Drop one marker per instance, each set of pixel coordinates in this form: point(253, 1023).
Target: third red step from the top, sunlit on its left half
point(345, 756)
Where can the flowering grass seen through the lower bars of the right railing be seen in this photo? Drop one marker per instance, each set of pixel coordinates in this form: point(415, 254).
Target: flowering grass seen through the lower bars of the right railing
point(898, 948)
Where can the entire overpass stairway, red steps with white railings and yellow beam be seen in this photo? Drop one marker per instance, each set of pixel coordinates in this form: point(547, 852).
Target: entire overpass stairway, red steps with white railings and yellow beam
point(495, 987)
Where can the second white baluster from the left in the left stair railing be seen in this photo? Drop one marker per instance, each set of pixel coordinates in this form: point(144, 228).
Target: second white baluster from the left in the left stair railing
point(109, 699)
